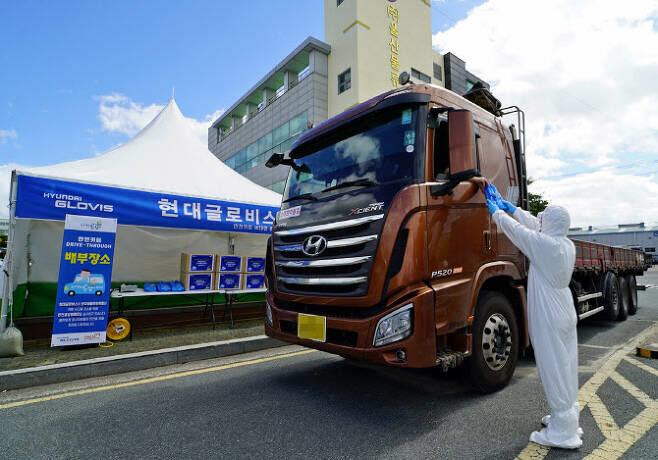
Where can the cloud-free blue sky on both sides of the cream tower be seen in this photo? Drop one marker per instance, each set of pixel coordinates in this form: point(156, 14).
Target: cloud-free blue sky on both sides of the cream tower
point(59, 57)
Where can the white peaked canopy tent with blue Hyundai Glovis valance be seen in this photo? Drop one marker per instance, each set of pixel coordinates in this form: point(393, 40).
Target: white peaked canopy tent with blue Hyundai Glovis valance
point(169, 194)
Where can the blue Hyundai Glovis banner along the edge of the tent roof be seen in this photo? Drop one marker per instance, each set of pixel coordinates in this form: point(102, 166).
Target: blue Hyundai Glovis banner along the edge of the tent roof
point(51, 199)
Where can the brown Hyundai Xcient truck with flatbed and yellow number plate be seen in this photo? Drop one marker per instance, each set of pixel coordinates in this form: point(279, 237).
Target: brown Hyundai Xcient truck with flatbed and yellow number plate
point(384, 250)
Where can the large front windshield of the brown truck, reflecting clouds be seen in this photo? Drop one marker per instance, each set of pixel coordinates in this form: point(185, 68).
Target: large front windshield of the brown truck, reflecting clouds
point(378, 149)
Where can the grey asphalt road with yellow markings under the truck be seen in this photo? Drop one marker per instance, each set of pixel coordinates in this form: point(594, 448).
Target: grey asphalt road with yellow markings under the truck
point(294, 403)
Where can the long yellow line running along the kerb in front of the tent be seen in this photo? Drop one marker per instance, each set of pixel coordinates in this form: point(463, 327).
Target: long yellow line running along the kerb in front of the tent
point(152, 379)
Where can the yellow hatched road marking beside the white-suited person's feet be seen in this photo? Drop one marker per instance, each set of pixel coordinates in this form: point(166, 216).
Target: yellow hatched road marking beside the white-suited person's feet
point(617, 440)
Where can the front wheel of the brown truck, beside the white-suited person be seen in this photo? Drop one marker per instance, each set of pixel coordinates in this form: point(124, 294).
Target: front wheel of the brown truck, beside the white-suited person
point(495, 344)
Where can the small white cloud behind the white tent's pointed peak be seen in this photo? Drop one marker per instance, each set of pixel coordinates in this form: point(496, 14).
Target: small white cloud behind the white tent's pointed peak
point(120, 114)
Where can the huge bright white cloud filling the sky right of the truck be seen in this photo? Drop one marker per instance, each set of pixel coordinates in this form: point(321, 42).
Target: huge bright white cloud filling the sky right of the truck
point(585, 74)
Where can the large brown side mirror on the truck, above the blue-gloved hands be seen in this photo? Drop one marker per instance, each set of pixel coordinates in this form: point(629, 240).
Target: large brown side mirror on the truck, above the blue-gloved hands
point(461, 137)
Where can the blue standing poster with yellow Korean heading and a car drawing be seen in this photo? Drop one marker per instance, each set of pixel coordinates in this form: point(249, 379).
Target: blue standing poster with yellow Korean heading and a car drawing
point(83, 288)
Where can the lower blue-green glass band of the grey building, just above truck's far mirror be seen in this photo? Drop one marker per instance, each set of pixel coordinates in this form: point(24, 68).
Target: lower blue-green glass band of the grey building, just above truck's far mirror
point(277, 141)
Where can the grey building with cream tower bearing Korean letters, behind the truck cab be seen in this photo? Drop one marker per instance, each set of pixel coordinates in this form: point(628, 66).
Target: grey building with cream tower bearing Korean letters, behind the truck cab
point(367, 45)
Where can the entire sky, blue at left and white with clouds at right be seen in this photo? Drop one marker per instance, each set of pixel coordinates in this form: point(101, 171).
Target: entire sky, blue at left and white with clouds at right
point(80, 77)
